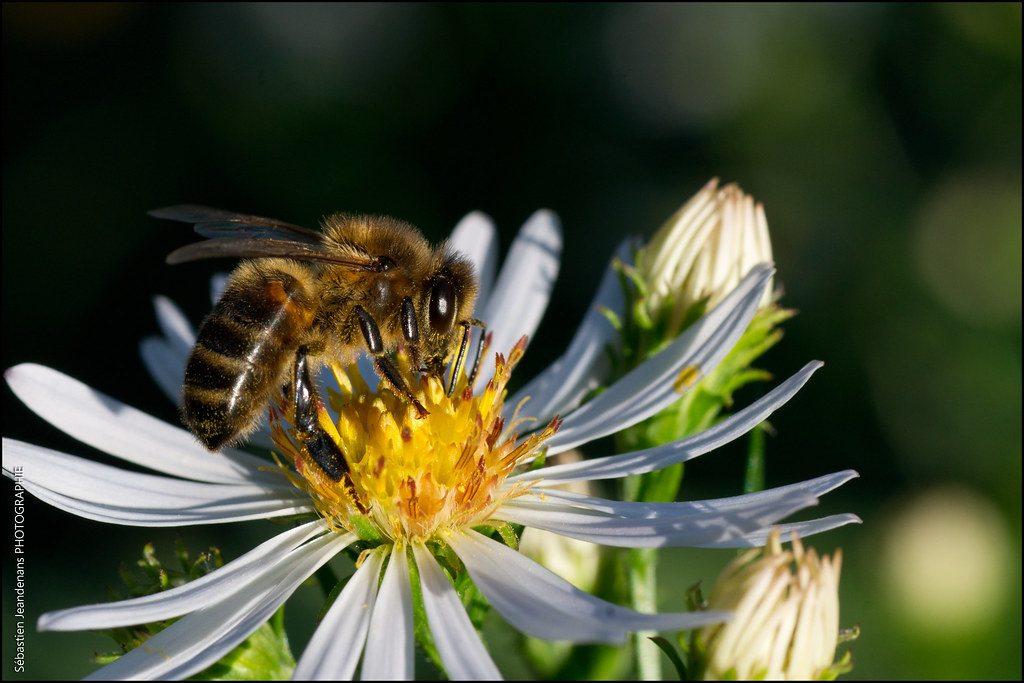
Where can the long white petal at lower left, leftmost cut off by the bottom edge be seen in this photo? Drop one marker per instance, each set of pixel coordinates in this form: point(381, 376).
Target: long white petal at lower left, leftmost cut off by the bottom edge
point(200, 639)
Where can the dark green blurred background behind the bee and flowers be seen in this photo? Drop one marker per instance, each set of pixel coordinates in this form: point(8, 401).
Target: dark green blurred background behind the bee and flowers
point(885, 143)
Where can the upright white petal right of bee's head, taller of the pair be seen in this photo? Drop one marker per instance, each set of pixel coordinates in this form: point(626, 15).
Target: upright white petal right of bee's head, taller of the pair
point(524, 287)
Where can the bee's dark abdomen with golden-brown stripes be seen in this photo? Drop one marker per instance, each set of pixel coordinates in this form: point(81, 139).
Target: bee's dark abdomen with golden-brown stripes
point(245, 349)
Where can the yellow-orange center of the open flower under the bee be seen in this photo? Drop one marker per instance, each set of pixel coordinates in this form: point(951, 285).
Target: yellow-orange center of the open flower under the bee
point(412, 477)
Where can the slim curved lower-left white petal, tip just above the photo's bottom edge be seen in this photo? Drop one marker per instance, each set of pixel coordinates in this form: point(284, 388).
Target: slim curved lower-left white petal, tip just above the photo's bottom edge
point(235, 576)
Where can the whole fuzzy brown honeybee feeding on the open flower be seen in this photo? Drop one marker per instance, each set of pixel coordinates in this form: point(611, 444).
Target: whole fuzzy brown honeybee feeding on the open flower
point(364, 283)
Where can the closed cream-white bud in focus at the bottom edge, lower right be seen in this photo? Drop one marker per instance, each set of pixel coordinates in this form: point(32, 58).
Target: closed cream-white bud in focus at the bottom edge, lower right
point(786, 616)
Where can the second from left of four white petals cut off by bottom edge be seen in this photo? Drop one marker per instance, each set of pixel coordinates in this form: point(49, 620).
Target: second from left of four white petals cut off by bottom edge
point(335, 650)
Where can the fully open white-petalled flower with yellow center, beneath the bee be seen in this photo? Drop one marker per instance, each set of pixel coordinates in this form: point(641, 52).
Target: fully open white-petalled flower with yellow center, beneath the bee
point(372, 619)
